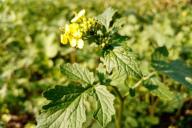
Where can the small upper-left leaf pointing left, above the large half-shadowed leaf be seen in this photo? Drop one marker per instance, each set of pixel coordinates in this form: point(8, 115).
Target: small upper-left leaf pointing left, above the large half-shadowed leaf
point(77, 73)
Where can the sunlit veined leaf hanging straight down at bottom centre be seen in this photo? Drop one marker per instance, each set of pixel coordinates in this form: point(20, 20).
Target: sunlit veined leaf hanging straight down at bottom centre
point(105, 105)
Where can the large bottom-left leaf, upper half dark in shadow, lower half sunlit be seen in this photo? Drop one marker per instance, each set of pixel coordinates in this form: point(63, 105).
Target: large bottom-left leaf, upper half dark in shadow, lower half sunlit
point(71, 112)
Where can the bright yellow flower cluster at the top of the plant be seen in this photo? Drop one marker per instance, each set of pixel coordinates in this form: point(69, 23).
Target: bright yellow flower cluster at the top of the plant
point(73, 33)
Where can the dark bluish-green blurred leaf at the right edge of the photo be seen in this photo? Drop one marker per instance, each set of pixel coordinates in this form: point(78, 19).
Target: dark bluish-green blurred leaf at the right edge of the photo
point(177, 70)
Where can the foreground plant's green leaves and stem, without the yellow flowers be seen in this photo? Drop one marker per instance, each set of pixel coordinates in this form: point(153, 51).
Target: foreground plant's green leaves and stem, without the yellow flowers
point(68, 110)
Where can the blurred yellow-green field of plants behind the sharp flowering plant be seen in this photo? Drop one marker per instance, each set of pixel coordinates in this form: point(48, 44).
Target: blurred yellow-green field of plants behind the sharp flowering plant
point(30, 55)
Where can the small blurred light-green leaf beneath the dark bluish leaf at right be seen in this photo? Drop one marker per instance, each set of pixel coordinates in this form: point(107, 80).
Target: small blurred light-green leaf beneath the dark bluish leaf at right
point(159, 89)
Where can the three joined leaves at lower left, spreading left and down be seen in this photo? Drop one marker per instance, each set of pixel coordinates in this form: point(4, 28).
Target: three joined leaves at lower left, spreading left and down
point(67, 107)
